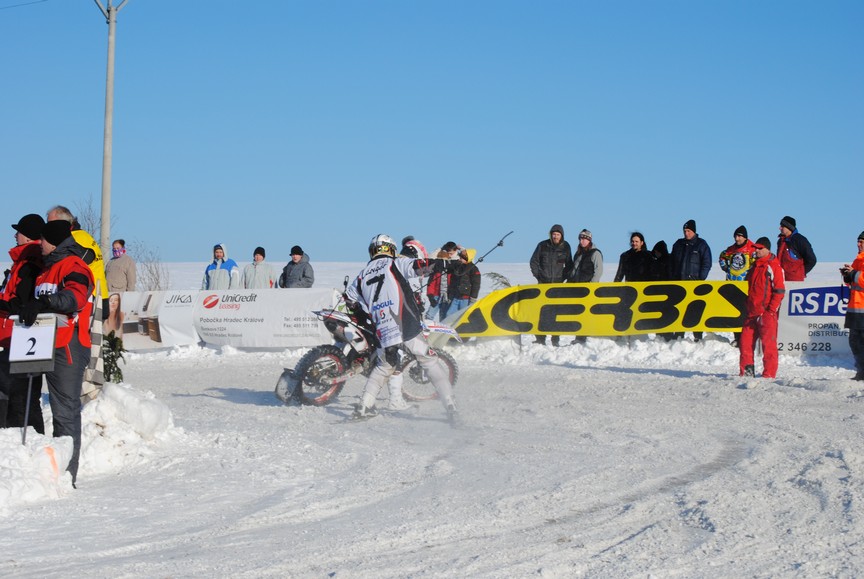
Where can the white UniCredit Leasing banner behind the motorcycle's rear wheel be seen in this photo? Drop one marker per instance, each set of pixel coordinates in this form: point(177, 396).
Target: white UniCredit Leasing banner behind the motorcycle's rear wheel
point(263, 318)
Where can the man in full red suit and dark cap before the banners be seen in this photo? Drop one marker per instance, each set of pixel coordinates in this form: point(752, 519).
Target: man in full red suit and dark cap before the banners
point(766, 289)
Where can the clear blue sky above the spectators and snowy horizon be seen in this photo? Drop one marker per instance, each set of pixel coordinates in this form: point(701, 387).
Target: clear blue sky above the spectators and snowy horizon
point(322, 123)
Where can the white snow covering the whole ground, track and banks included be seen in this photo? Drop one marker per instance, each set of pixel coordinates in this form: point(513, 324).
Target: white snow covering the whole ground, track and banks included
point(613, 458)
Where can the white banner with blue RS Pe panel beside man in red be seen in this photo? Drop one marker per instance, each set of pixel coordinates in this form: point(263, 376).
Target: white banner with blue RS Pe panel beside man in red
point(811, 319)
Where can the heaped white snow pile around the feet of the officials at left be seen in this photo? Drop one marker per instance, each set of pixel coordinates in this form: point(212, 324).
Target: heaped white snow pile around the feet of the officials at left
point(120, 429)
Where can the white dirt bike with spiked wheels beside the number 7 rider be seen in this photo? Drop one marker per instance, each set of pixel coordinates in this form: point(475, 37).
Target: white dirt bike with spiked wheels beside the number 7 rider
point(322, 372)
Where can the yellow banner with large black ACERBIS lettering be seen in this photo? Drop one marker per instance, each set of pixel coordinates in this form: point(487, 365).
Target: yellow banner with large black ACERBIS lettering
point(608, 309)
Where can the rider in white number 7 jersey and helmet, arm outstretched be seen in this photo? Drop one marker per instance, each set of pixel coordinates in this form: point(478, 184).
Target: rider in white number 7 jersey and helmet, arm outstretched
point(383, 292)
